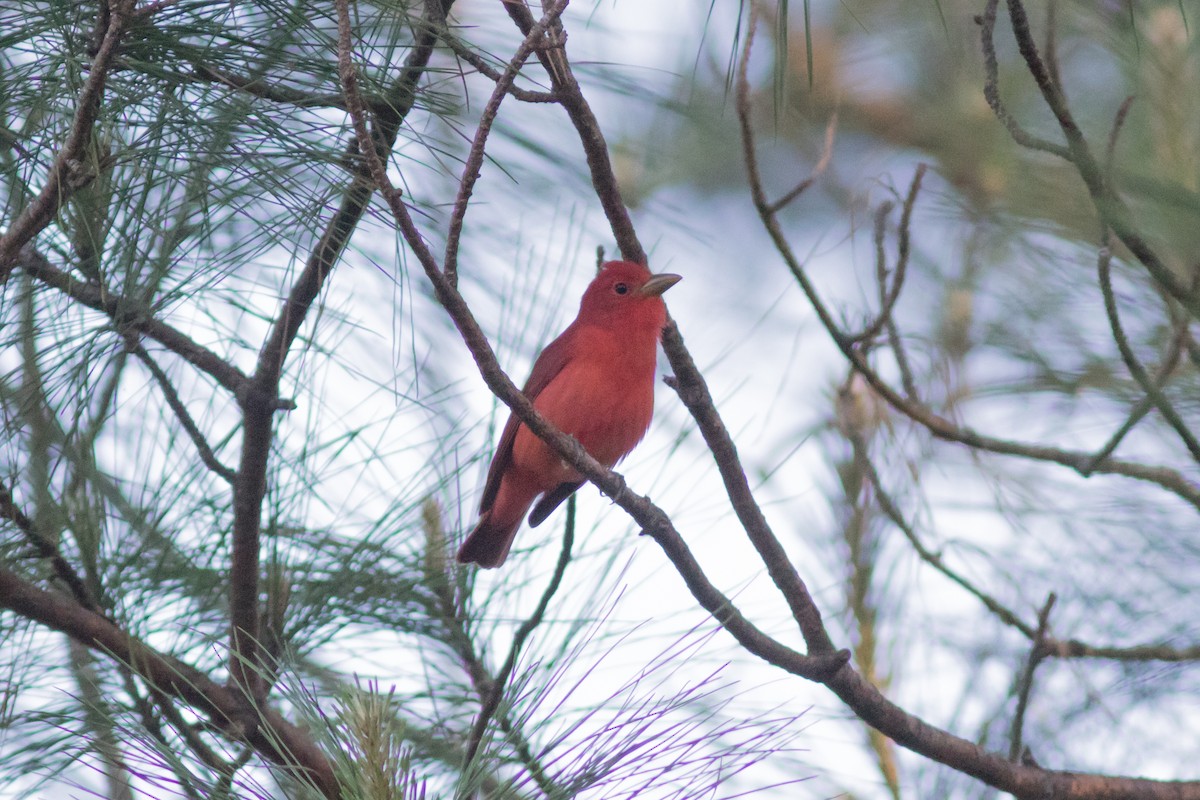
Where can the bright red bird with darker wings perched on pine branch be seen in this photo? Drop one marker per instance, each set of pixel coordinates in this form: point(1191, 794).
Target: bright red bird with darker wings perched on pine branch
point(596, 382)
